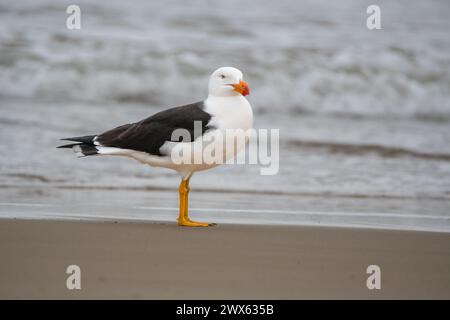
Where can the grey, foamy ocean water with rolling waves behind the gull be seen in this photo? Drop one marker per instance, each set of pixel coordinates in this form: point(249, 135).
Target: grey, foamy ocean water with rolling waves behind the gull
point(364, 116)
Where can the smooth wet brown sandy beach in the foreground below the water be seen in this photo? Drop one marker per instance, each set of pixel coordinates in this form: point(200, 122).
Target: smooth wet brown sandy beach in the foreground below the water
point(162, 261)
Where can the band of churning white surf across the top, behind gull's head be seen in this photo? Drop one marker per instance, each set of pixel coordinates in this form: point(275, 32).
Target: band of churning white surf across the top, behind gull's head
point(309, 56)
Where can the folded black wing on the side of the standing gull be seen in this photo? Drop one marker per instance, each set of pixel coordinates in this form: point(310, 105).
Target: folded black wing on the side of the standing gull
point(150, 134)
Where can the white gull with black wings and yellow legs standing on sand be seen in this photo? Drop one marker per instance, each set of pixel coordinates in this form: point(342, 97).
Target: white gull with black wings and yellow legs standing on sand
point(151, 141)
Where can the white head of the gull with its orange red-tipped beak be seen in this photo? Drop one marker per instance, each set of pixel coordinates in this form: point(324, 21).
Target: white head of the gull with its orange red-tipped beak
point(227, 81)
